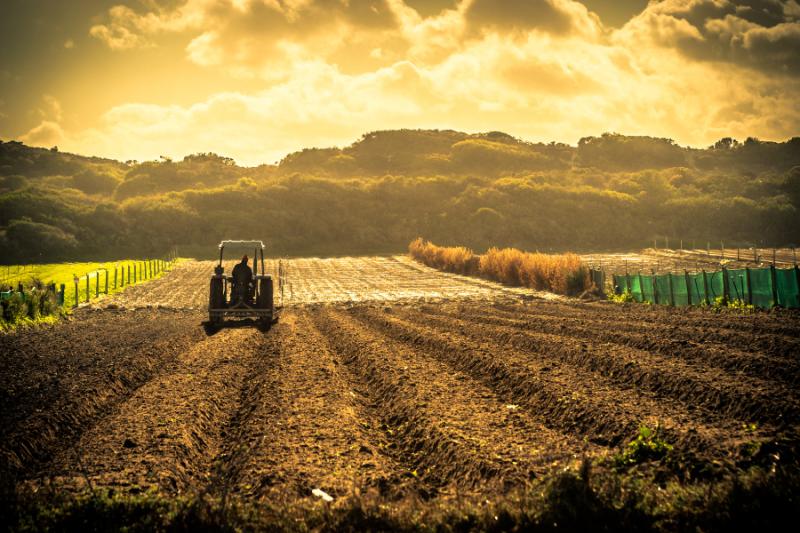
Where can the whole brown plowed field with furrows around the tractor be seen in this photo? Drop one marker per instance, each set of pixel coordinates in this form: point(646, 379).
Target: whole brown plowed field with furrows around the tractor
point(385, 377)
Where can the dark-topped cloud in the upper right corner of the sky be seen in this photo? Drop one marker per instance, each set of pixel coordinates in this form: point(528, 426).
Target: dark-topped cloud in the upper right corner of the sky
point(757, 34)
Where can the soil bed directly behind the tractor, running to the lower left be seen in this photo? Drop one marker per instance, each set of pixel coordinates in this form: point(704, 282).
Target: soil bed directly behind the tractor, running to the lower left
point(168, 432)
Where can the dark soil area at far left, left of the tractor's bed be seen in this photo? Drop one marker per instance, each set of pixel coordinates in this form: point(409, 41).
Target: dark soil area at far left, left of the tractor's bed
point(59, 381)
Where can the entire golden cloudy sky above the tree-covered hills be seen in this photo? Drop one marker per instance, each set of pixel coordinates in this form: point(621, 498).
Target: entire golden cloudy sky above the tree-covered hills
point(256, 79)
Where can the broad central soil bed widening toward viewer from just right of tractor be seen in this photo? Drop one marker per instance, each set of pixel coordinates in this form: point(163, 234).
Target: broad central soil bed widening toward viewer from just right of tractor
point(303, 425)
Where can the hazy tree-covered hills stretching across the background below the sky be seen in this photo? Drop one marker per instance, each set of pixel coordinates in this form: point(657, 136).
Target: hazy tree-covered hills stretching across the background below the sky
point(388, 187)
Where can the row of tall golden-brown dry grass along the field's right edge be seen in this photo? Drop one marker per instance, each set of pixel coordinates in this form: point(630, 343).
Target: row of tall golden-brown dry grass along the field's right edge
point(561, 274)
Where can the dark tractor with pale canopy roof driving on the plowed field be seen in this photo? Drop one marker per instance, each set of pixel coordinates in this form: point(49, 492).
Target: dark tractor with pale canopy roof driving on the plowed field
point(233, 298)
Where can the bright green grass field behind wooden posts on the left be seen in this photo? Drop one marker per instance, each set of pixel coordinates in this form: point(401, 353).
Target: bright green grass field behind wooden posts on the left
point(58, 273)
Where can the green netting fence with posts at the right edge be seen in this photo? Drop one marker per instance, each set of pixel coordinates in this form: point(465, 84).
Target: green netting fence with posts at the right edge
point(761, 287)
